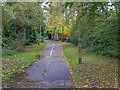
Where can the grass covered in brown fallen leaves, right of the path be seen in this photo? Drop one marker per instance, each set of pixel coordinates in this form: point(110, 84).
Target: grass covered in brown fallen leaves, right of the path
point(95, 69)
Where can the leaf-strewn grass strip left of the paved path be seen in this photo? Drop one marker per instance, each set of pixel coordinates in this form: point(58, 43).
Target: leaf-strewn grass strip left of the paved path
point(19, 60)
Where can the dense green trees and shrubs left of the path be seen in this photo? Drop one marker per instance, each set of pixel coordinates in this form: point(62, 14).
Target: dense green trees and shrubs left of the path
point(22, 25)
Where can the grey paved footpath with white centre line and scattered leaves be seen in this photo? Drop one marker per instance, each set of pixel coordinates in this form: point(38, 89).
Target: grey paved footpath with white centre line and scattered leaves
point(51, 71)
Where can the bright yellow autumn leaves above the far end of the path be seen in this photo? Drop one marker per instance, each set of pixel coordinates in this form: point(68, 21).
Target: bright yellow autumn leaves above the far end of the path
point(58, 22)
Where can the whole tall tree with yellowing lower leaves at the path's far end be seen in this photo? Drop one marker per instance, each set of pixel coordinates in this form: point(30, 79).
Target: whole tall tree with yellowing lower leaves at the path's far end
point(56, 24)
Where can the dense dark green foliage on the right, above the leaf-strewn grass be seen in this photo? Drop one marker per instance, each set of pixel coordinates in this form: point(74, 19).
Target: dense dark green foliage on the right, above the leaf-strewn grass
point(97, 28)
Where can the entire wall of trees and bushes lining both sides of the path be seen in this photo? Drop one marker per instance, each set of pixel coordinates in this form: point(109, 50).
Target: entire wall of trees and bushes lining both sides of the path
point(94, 25)
